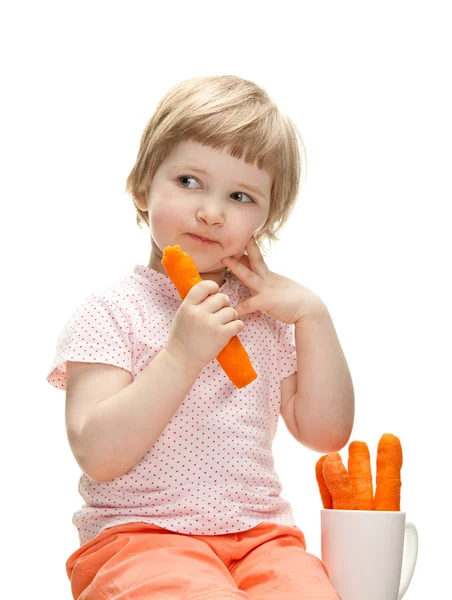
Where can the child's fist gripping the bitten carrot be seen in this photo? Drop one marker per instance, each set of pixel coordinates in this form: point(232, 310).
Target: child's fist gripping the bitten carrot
point(203, 324)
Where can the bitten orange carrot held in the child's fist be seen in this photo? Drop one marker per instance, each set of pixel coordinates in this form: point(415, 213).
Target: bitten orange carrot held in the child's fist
point(233, 358)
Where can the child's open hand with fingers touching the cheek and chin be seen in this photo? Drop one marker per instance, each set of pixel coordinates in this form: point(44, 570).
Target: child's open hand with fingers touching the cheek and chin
point(280, 297)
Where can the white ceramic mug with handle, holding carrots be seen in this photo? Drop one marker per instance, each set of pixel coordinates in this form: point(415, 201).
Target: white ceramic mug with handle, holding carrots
point(369, 554)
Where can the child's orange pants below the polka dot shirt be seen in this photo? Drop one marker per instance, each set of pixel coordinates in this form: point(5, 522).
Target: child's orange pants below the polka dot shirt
point(139, 561)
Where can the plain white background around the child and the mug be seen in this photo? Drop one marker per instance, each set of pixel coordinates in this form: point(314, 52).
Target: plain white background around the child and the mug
point(368, 85)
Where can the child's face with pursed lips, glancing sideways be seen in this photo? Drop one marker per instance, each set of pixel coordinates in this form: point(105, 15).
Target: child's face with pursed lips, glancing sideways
point(216, 205)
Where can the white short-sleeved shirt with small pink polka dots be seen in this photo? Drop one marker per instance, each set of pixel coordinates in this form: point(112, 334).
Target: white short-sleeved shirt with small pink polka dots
point(211, 471)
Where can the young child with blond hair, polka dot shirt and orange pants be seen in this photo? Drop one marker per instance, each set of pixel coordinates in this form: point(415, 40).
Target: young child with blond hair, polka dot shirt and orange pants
point(181, 496)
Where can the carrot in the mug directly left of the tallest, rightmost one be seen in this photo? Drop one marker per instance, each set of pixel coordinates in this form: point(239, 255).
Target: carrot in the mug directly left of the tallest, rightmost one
point(361, 475)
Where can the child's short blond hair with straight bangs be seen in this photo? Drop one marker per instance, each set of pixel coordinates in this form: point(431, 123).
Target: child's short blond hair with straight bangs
point(225, 112)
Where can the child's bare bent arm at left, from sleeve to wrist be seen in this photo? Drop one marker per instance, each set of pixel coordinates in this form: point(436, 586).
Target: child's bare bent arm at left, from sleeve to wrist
point(119, 430)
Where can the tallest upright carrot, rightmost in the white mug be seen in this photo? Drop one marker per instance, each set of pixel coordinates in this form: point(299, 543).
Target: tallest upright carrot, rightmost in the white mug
point(389, 465)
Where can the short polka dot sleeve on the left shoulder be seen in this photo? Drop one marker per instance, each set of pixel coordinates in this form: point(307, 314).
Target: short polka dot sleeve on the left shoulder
point(98, 332)
